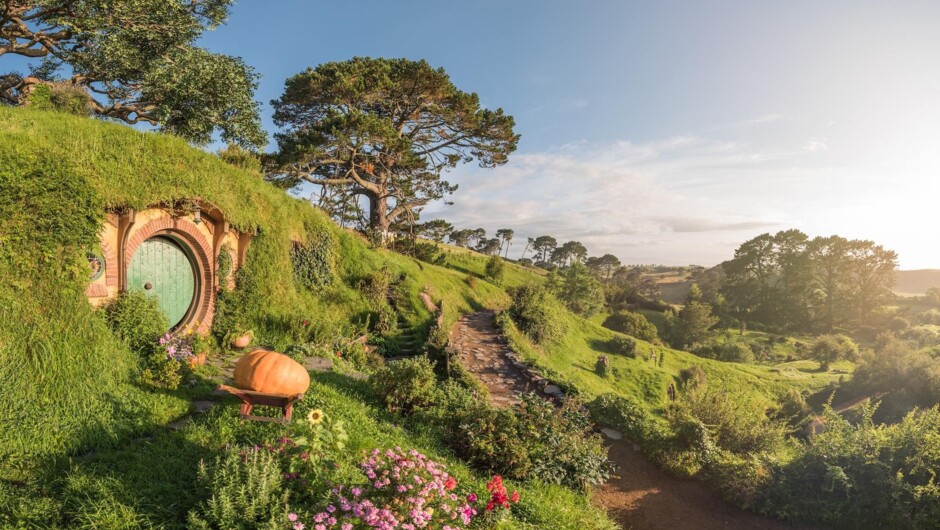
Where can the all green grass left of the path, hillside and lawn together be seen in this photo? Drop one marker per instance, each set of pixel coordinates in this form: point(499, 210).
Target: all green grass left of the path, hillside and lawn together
point(82, 443)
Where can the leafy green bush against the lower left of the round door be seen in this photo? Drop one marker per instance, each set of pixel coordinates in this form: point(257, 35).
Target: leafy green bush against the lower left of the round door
point(137, 320)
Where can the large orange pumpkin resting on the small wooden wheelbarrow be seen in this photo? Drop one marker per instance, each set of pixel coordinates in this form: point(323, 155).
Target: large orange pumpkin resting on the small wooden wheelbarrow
point(271, 373)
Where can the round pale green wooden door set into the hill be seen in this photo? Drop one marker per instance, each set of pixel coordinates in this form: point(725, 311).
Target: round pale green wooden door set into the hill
point(162, 269)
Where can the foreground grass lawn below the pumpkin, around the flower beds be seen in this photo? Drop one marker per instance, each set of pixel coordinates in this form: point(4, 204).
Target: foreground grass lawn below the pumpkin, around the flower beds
point(151, 482)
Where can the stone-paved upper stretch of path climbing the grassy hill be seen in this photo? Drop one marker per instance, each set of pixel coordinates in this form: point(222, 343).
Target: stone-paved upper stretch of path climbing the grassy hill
point(483, 352)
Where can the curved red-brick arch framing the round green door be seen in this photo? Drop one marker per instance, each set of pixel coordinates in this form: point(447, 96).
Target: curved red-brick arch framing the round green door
point(189, 235)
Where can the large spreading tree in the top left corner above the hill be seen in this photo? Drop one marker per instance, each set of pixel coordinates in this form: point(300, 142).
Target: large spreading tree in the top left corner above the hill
point(136, 61)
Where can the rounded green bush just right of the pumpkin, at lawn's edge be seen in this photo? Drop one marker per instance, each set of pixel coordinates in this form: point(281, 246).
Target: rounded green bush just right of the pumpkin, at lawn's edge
point(406, 386)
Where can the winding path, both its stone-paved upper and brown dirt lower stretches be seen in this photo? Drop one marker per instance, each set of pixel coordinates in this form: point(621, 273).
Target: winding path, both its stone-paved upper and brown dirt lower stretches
point(643, 496)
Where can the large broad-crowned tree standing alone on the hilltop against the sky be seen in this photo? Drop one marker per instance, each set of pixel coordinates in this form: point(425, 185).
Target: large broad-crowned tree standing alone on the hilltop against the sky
point(387, 129)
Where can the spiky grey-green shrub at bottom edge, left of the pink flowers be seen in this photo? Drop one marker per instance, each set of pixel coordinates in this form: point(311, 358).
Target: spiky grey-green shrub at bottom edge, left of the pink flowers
point(245, 491)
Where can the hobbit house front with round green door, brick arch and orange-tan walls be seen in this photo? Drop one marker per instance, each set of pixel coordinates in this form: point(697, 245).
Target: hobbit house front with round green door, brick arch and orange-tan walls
point(173, 256)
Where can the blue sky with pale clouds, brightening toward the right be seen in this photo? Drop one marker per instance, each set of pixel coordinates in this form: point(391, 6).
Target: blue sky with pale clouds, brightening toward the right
point(662, 132)
